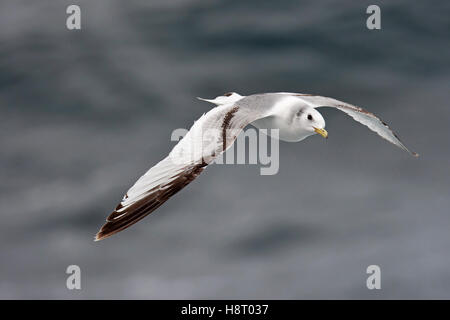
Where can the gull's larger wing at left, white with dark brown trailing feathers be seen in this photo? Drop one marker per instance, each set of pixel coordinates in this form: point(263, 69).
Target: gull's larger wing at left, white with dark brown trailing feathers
point(212, 134)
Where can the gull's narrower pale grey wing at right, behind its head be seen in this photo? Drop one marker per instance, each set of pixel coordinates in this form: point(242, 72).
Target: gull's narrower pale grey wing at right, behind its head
point(359, 114)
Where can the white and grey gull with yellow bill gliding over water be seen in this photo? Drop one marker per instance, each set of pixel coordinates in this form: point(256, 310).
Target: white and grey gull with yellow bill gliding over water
point(295, 115)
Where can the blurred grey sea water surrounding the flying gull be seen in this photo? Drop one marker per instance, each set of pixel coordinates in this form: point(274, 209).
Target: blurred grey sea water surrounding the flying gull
point(85, 113)
